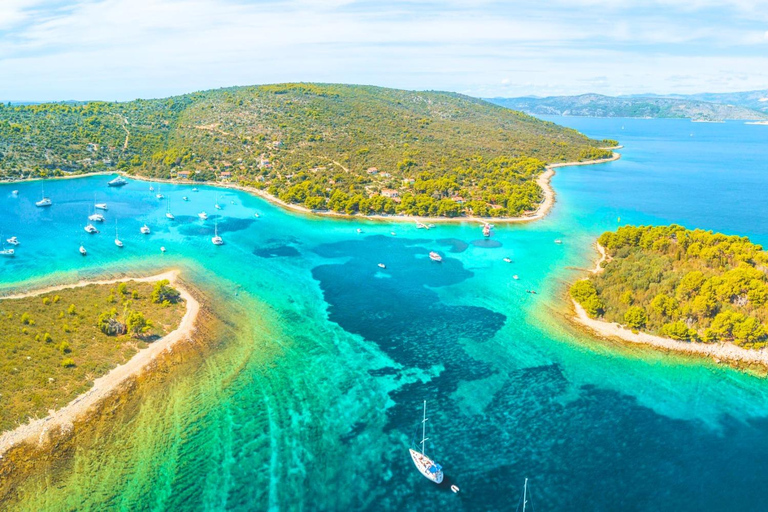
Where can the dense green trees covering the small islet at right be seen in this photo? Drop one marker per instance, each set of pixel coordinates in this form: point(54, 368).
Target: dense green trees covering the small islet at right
point(683, 284)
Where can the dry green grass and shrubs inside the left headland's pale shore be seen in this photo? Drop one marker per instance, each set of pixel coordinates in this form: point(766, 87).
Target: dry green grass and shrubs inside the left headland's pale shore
point(54, 345)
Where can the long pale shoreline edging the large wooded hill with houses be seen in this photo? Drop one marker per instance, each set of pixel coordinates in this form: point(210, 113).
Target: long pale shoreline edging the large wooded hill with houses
point(543, 180)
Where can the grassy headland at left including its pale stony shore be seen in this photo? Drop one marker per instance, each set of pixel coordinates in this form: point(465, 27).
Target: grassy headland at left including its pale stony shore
point(65, 348)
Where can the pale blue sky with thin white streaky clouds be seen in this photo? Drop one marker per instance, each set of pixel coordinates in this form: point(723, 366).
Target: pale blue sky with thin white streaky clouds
point(123, 49)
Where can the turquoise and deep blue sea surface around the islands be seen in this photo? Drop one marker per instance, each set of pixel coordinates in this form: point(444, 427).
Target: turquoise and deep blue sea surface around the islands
point(313, 394)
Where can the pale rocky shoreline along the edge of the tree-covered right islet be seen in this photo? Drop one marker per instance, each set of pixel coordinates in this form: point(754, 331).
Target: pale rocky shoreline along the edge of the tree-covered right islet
point(720, 352)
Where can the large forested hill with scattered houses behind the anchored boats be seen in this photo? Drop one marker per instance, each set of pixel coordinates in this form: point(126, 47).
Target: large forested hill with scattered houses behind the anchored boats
point(344, 147)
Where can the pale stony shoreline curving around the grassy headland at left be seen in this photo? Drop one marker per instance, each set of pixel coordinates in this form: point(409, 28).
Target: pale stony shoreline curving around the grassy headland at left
point(37, 431)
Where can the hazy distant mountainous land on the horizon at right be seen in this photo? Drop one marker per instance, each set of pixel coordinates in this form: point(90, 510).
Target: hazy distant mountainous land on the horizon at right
point(596, 105)
